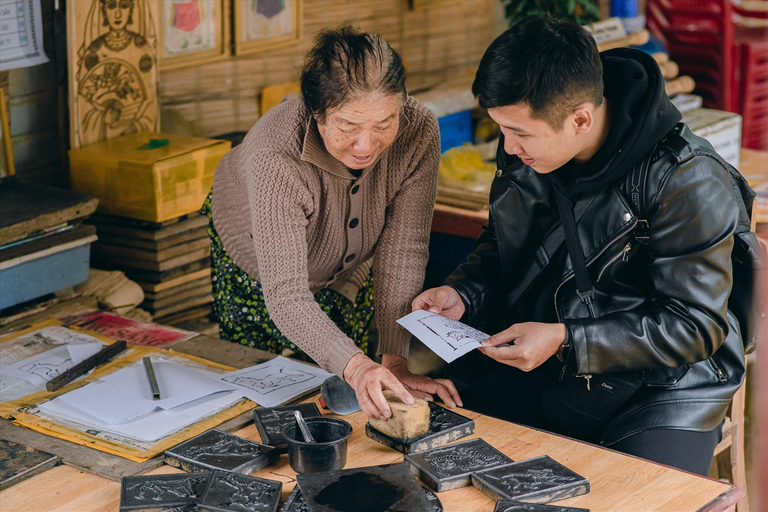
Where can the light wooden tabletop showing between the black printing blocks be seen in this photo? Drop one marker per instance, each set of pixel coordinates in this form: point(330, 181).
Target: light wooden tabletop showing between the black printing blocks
point(618, 482)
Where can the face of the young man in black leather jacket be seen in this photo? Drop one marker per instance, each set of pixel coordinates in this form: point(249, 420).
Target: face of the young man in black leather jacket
point(537, 144)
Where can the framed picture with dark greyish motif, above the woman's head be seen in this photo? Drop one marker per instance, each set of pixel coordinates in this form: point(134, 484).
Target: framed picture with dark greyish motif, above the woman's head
point(266, 24)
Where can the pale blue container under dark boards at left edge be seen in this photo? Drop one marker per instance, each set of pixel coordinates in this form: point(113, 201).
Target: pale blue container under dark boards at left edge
point(43, 275)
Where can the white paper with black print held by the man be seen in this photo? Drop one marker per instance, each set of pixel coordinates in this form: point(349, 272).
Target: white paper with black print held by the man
point(449, 339)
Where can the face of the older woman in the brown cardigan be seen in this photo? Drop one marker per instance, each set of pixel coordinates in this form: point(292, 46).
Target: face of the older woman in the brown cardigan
point(356, 132)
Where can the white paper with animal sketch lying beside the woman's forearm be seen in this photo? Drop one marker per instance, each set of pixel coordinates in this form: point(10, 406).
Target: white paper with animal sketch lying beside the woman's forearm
point(277, 381)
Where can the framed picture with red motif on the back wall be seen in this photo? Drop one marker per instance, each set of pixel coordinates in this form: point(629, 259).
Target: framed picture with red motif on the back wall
point(193, 32)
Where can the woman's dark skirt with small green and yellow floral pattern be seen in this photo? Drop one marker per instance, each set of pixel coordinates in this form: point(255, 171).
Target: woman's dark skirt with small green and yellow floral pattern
point(239, 305)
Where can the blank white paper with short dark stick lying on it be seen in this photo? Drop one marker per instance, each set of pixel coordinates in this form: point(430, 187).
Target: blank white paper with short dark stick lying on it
point(126, 394)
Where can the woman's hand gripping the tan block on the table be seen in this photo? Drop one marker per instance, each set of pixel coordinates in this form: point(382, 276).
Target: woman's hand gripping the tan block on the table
point(368, 379)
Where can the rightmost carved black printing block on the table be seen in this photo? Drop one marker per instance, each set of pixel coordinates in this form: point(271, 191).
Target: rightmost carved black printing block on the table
point(537, 480)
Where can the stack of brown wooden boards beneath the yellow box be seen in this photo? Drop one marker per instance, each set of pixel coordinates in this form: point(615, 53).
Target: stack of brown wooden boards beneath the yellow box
point(170, 261)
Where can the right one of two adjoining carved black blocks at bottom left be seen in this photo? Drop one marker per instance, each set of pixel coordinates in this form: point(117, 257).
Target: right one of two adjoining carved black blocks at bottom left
point(235, 492)
